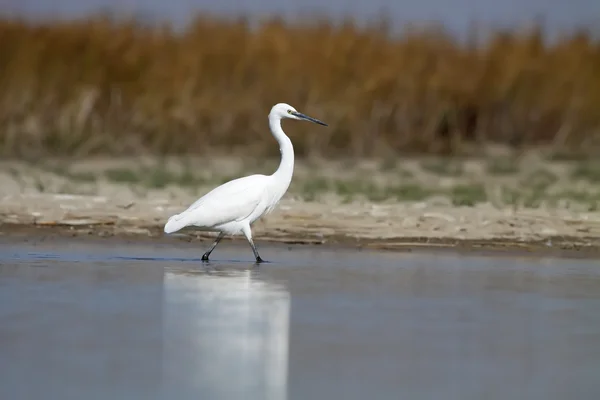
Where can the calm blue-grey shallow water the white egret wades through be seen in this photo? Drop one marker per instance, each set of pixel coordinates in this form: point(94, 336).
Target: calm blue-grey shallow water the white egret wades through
point(108, 320)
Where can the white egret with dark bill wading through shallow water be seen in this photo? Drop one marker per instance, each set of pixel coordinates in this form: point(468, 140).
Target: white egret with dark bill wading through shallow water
point(232, 207)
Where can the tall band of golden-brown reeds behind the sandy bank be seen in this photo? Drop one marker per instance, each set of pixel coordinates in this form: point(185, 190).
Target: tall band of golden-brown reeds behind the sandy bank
point(98, 86)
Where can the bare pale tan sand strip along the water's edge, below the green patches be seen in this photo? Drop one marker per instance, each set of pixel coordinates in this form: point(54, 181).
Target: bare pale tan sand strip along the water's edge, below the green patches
point(399, 226)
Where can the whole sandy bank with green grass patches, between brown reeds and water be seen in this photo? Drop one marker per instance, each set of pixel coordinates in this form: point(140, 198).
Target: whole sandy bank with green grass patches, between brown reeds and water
point(116, 198)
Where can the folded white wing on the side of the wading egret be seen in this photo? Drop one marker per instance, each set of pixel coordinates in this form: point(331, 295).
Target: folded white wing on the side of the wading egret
point(232, 201)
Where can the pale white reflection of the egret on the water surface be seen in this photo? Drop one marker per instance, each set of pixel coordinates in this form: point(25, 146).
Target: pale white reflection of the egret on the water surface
point(226, 333)
